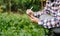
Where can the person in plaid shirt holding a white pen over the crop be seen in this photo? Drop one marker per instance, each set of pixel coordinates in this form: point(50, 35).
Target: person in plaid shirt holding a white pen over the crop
point(52, 9)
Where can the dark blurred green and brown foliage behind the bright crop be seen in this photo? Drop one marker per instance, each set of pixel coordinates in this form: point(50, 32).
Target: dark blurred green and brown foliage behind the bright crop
point(15, 5)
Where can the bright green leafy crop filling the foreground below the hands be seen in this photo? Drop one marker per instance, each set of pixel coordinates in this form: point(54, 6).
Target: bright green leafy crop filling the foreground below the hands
point(17, 25)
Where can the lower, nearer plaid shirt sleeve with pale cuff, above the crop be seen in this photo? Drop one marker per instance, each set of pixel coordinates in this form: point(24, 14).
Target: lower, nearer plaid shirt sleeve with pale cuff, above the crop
point(54, 22)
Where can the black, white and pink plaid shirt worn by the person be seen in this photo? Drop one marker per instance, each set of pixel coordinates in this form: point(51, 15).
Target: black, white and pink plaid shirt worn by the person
point(52, 9)
